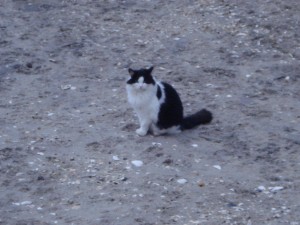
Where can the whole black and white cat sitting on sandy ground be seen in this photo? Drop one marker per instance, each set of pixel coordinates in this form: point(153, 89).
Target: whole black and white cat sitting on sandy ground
point(158, 105)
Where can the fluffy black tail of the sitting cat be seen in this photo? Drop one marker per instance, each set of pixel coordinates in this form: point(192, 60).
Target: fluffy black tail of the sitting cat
point(202, 117)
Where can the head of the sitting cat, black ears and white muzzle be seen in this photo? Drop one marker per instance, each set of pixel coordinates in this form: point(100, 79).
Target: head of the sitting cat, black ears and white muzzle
point(141, 79)
